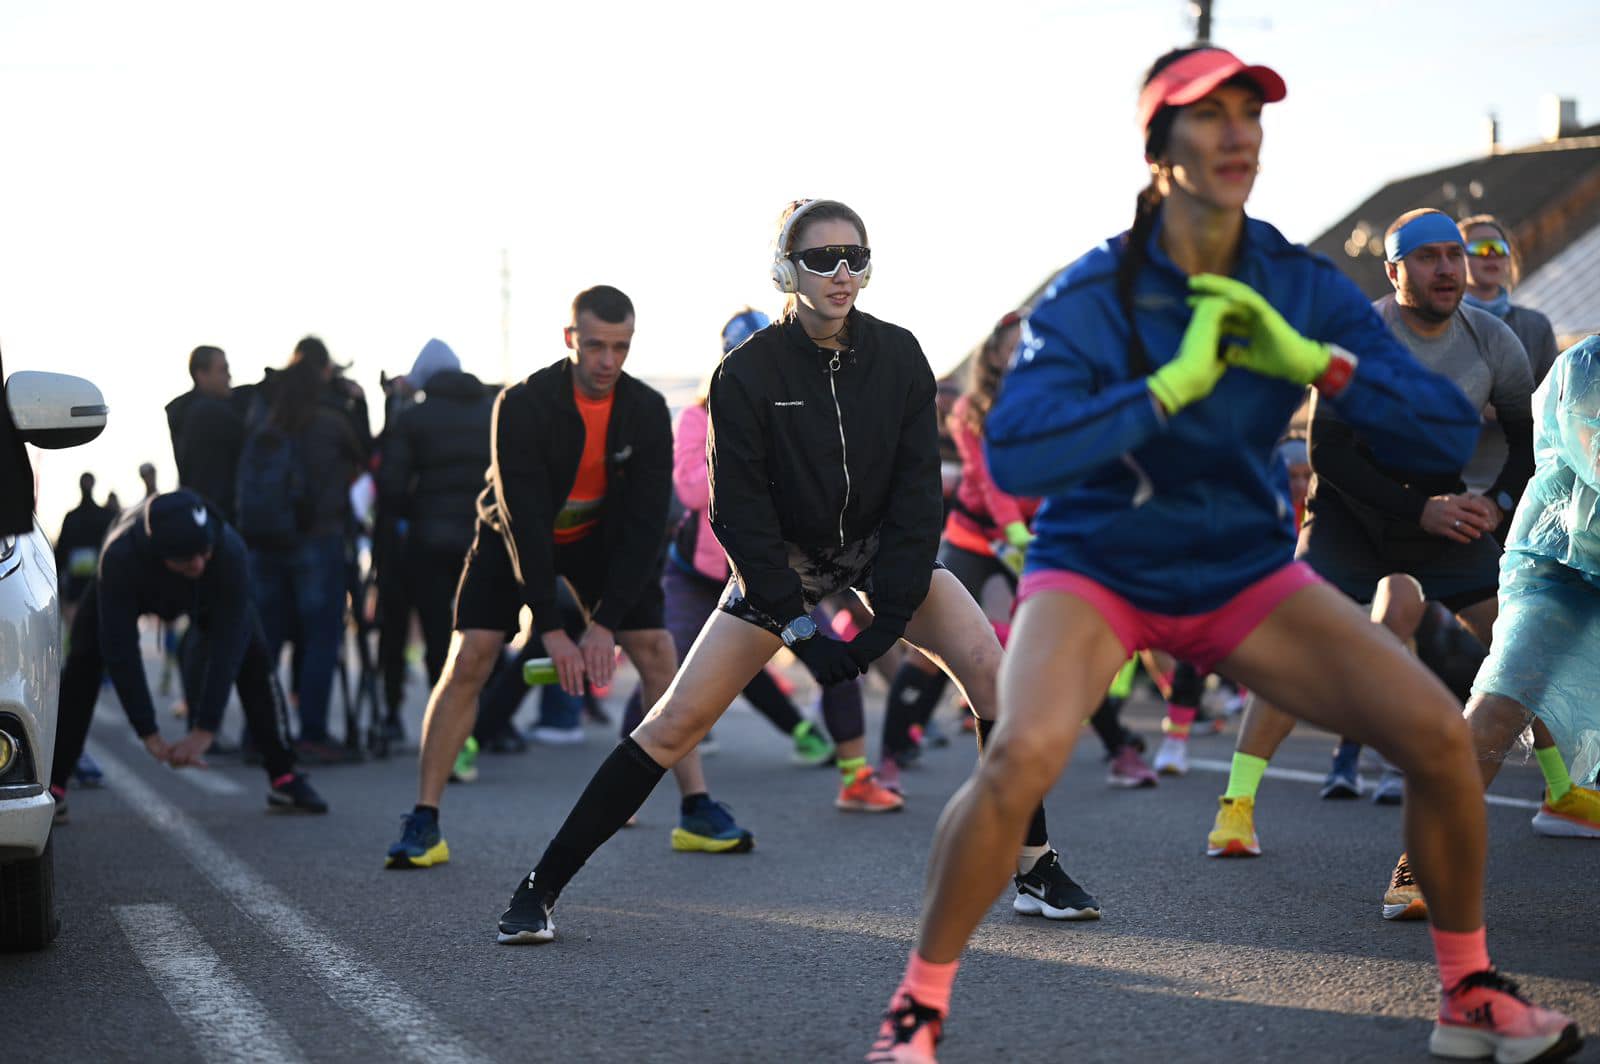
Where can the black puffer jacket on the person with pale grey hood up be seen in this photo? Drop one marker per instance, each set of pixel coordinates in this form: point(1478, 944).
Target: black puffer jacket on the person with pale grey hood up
point(434, 462)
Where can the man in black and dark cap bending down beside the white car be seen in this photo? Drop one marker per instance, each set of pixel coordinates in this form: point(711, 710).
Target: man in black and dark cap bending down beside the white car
point(174, 556)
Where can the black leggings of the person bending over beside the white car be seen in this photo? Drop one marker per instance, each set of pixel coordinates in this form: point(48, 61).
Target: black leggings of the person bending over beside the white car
point(81, 681)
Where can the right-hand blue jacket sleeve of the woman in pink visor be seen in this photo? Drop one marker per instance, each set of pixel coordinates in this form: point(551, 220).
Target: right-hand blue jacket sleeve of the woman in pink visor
point(1412, 418)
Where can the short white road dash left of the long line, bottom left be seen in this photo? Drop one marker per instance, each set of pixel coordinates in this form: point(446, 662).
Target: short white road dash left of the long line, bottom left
point(225, 1022)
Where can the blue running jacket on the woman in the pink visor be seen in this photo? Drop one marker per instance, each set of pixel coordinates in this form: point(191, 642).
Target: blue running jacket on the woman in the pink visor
point(1180, 514)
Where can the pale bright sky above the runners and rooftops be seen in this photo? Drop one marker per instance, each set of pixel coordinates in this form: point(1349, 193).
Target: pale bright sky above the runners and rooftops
point(217, 174)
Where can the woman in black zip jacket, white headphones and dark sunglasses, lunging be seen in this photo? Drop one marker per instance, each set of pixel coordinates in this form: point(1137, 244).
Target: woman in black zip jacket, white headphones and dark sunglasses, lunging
point(825, 476)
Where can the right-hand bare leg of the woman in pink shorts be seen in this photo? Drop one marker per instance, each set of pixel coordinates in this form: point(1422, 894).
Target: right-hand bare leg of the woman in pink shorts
point(1319, 657)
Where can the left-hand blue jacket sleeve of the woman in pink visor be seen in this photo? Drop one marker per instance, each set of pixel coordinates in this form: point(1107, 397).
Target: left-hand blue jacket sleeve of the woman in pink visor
point(1054, 423)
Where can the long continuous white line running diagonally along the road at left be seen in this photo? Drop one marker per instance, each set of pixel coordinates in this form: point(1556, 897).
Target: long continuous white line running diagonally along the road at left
point(390, 1014)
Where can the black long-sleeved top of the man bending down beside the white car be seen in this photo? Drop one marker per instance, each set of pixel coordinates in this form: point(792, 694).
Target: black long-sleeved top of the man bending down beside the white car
point(135, 582)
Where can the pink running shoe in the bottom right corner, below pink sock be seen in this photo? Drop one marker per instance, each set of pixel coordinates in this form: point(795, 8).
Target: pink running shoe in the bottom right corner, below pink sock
point(1486, 1017)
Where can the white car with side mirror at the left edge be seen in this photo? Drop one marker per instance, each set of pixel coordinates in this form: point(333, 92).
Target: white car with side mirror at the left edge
point(49, 410)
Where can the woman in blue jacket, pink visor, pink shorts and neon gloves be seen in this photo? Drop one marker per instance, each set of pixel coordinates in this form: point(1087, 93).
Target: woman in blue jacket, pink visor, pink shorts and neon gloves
point(1151, 388)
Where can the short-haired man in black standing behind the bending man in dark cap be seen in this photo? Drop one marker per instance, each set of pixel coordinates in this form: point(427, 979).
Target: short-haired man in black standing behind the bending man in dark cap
point(209, 431)
